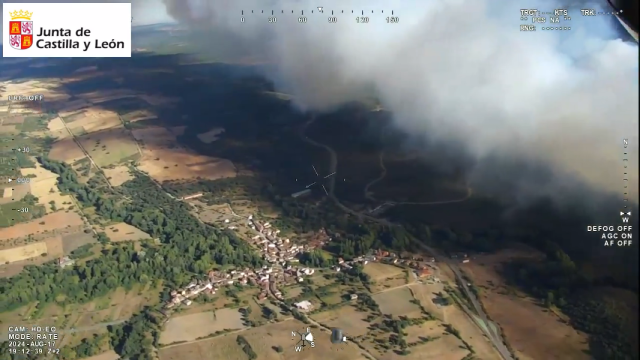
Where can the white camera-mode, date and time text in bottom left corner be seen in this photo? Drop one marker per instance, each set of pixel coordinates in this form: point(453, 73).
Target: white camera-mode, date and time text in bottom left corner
point(32, 340)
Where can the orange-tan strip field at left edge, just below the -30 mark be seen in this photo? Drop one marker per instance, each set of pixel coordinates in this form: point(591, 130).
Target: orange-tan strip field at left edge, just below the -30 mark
point(60, 221)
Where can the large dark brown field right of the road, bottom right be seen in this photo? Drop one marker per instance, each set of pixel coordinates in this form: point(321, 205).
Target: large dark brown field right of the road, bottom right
point(518, 314)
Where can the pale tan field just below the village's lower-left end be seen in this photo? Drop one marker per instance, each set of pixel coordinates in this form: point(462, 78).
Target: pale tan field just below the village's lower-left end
point(191, 327)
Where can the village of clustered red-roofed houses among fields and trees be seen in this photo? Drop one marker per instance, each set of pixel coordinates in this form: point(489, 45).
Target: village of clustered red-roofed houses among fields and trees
point(283, 268)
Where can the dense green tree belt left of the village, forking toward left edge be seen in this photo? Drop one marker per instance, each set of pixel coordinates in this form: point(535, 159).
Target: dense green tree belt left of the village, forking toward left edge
point(187, 247)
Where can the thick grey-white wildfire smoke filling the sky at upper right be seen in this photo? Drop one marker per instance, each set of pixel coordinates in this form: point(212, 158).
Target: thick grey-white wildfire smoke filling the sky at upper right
point(539, 113)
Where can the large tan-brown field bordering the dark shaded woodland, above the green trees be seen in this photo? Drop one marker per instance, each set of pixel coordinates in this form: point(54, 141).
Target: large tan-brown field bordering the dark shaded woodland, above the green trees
point(164, 160)
